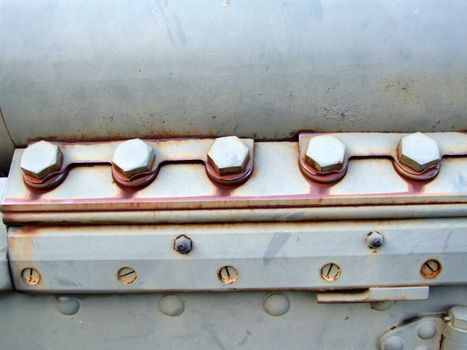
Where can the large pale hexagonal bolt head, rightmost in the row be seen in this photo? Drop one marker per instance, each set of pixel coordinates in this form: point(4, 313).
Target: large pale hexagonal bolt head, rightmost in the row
point(418, 151)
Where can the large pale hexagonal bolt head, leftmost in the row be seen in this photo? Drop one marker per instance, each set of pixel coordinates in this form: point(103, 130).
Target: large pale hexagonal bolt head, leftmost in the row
point(41, 159)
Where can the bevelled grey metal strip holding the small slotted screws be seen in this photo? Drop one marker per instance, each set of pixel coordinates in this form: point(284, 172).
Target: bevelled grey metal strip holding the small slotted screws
point(266, 256)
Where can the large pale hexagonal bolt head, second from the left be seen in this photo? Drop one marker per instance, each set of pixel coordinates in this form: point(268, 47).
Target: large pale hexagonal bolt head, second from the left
point(133, 157)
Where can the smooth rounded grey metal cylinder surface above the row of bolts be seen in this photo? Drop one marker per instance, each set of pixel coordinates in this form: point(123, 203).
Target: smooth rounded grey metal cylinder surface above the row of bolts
point(87, 70)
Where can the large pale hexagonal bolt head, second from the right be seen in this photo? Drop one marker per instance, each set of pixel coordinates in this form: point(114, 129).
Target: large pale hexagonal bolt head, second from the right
point(325, 153)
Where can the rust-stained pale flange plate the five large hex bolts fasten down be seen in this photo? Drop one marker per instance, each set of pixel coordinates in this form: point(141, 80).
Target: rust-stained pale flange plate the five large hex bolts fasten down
point(276, 182)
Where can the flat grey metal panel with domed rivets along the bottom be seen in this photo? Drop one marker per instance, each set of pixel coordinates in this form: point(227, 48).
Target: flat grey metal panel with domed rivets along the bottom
point(208, 321)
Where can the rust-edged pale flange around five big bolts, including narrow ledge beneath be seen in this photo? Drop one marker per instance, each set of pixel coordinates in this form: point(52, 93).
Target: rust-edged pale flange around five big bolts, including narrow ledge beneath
point(89, 193)
